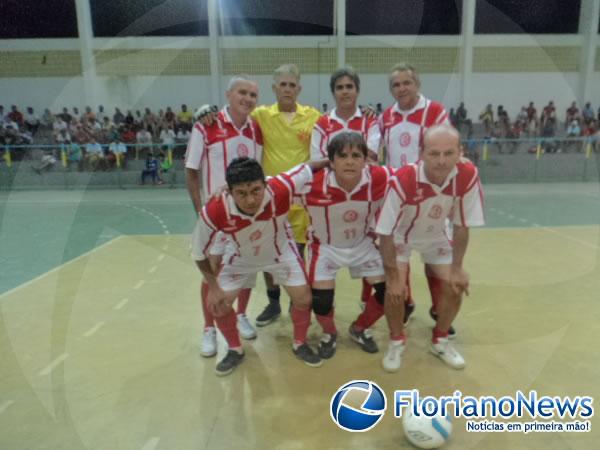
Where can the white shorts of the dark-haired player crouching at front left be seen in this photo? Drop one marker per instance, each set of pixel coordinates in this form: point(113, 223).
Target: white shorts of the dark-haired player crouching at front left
point(289, 271)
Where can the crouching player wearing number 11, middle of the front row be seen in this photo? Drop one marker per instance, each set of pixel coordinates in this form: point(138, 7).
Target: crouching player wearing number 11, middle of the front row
point(342, 203)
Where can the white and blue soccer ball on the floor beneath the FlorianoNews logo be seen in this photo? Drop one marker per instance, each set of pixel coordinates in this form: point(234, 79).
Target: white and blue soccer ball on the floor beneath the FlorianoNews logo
point(426, 432)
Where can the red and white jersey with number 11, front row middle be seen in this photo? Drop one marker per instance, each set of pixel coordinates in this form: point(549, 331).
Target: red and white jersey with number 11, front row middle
point(340, 218)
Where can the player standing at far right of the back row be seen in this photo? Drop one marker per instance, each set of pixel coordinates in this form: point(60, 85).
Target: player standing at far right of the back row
point(402, 127)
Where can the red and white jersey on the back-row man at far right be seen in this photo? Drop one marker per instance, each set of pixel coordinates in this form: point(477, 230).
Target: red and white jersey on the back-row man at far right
point(402, 131)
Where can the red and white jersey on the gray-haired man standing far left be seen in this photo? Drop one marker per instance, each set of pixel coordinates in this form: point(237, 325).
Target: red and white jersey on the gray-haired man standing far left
point(211, 149)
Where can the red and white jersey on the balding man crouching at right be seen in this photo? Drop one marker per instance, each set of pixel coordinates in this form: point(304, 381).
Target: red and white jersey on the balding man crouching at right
point(415, 210)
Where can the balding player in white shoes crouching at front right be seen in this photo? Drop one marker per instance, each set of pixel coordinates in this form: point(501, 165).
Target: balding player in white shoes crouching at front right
point(419, 200)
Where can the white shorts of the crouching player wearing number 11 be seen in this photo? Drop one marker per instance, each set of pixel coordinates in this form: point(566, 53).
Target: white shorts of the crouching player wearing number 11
point(324, 261)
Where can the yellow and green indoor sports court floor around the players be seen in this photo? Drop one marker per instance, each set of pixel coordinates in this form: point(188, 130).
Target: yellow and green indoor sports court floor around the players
point(101, 320)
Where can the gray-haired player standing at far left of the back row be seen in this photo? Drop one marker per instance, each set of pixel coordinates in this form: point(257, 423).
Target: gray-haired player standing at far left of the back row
point(210, 150)
